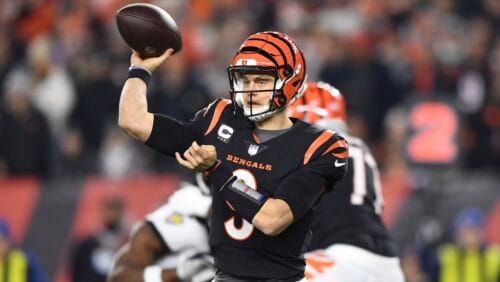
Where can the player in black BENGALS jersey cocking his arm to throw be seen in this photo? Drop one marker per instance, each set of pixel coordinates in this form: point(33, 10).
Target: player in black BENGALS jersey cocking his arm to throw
point(266, 170)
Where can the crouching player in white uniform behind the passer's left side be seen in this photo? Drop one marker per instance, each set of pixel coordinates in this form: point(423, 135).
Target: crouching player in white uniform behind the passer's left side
point(169, 245)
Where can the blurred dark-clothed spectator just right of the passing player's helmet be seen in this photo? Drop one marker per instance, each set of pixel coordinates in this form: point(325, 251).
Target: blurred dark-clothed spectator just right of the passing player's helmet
point(368, 87)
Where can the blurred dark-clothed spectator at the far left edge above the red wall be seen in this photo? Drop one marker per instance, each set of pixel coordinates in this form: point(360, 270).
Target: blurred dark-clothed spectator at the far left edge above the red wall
point(24, 133)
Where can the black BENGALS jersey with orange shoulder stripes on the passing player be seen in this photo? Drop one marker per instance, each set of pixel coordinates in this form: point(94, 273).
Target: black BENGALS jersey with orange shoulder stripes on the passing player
point(277, 168)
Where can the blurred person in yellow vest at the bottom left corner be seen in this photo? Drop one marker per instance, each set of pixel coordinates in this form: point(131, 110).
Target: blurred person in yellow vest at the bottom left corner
point(17, 264)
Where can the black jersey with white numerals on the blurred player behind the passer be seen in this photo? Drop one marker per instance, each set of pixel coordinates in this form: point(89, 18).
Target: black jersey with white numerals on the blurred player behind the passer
point(350, 213)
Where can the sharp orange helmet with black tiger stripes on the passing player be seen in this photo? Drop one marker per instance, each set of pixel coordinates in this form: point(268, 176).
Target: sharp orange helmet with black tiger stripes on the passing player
point(272, 54)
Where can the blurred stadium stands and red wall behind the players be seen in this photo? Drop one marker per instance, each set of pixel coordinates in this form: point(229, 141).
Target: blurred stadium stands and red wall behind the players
point(421, 80)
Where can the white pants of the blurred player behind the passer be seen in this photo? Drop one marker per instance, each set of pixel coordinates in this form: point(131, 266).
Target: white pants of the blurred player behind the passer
point(346, 263)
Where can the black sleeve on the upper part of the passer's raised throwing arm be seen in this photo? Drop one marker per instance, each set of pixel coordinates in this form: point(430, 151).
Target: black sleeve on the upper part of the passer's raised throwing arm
point(170, 135)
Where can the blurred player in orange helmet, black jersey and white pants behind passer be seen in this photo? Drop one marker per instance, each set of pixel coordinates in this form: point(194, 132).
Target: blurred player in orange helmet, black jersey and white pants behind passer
point(350, 242)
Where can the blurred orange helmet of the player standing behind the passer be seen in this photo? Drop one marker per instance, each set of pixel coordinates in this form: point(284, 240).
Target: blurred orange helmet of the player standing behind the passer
point(321, 104)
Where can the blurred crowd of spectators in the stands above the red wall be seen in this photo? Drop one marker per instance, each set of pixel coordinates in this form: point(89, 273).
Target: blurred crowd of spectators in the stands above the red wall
point(62, 65)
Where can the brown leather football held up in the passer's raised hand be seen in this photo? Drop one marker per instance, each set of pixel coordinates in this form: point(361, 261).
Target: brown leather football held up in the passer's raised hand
point(148, 29)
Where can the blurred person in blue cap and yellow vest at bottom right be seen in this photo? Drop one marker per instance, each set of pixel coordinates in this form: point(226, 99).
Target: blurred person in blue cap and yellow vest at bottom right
point(469, 257)
